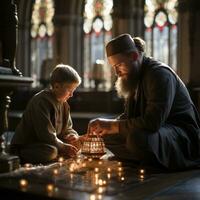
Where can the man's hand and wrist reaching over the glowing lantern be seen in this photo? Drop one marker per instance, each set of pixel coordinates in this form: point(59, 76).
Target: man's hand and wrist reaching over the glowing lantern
point(102, 126)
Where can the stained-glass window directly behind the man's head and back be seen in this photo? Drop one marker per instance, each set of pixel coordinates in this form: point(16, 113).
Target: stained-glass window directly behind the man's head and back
point(161, 30)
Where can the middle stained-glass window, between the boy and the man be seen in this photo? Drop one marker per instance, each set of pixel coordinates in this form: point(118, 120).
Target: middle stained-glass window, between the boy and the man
point(97, 31)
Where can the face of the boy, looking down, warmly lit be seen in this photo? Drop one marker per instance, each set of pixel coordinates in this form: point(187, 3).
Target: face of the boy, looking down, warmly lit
point(64, 91)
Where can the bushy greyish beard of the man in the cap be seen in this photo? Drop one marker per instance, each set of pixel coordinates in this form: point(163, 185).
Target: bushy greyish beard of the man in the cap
point(126, 87)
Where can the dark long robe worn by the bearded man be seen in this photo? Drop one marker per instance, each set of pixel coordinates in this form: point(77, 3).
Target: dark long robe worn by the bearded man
point(161, 120)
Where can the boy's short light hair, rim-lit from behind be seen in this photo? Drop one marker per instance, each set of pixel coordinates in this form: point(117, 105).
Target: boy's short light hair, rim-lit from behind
point(64, 74)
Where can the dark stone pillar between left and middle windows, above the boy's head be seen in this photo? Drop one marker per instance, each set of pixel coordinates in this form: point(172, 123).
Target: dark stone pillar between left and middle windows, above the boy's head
point(68, 42)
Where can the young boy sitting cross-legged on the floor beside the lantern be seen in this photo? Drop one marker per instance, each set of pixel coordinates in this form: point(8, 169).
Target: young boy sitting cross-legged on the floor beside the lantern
point(45, 130)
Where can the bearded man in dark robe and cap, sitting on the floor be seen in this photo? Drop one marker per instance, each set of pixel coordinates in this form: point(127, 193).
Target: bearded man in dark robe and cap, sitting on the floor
point(160, 124)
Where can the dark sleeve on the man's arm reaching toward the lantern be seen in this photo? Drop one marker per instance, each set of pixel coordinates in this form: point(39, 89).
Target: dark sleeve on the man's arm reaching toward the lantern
point(160, 88)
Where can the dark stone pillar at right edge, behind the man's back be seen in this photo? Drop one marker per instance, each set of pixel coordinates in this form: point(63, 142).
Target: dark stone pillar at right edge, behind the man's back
point(189, 42)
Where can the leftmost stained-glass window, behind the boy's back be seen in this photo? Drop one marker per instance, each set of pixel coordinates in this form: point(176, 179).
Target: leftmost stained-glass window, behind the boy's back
point(42, 30)
